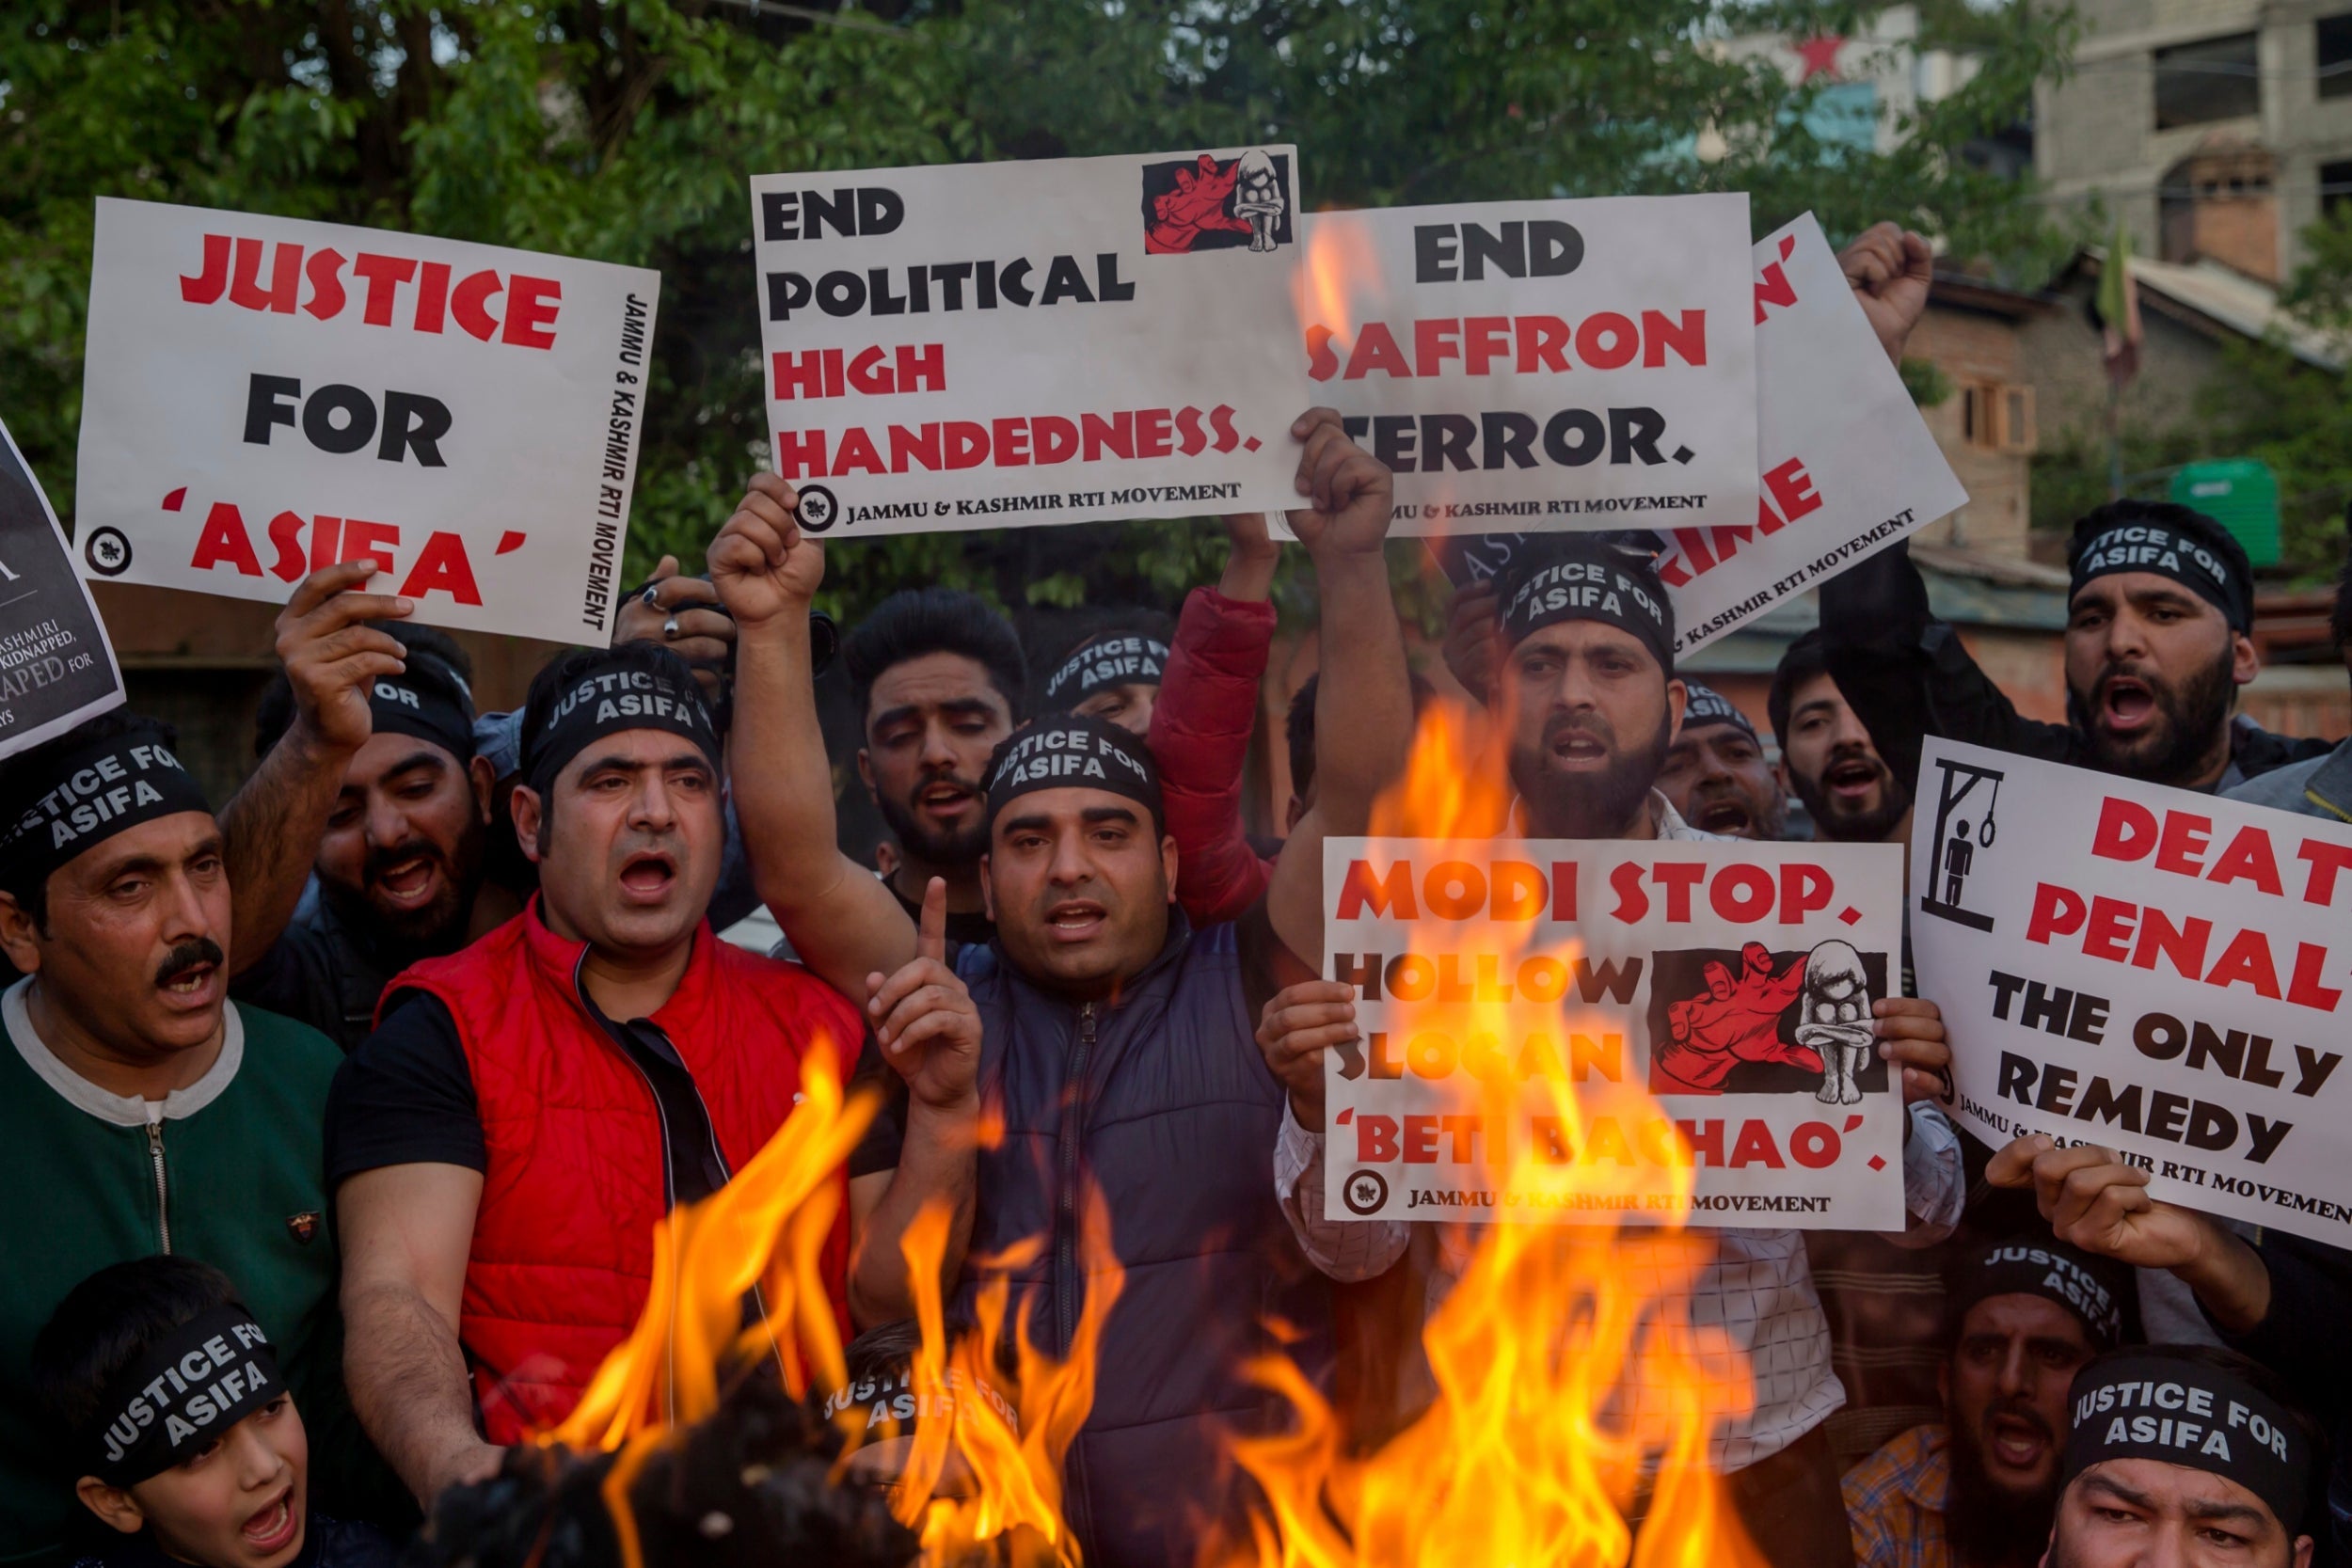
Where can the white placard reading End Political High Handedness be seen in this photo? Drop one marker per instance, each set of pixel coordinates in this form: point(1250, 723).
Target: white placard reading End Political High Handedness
point(980, 347)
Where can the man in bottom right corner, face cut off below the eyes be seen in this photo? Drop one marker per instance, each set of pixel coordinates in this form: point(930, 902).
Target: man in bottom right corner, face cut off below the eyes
point(2184, 1454)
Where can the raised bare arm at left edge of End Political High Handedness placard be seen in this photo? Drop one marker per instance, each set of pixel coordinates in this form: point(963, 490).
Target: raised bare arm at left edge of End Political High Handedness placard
point(841, 920)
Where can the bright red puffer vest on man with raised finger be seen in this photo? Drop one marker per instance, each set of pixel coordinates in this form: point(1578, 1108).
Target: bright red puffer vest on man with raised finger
point(563, 1247)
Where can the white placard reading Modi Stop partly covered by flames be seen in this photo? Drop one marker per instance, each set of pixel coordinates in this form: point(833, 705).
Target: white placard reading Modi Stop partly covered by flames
point(1709, 1005)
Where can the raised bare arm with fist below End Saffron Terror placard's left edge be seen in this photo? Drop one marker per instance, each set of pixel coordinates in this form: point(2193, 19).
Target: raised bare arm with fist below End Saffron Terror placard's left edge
point(1365, 697)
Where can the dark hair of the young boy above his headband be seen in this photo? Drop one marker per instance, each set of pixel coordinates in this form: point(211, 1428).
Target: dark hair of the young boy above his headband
point(105, 1327)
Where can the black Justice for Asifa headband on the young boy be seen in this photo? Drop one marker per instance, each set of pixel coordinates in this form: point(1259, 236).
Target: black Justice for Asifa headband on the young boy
point(185, 1395)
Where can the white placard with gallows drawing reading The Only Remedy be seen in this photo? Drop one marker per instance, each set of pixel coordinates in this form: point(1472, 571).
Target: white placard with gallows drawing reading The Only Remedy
point(2146, 970)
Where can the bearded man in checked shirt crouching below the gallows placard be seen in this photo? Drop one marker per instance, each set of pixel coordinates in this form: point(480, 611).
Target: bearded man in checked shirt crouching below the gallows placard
point(1979, 1487)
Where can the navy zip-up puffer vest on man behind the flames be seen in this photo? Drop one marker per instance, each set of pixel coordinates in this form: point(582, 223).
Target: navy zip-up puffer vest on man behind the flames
point(1163, 1101)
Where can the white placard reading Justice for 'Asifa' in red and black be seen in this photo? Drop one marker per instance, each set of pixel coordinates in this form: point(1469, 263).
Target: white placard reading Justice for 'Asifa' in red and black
point(269, 396)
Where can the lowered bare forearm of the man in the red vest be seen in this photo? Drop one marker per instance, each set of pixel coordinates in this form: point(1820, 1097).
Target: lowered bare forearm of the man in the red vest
point(406, 1235)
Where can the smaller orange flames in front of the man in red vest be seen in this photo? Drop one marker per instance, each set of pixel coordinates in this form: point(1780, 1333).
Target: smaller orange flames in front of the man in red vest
point(970, 1485)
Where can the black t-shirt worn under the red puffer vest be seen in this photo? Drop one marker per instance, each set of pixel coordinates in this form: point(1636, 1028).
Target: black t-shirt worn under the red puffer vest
point(406, 1097)
